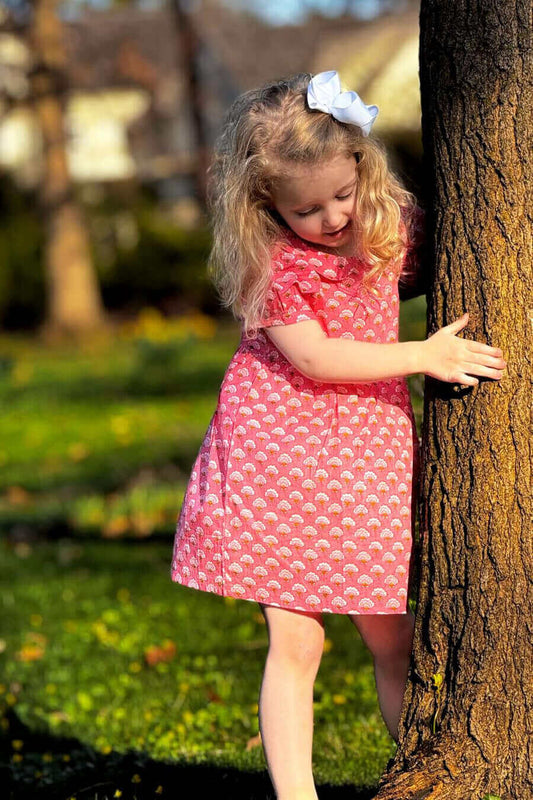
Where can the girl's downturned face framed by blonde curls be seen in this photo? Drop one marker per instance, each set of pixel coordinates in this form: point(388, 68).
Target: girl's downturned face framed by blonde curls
point(317, 202)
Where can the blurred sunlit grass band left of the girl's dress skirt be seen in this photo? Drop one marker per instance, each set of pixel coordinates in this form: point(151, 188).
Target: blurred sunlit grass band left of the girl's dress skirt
point(113, 431)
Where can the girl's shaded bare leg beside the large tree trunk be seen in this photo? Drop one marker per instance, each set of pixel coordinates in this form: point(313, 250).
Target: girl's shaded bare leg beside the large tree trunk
point(389, 638)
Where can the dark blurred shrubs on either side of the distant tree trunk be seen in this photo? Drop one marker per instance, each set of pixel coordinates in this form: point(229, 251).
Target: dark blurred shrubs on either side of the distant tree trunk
point(141, 256)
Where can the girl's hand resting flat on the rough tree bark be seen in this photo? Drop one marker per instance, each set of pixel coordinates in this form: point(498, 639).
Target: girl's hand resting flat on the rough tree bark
point(447, 357)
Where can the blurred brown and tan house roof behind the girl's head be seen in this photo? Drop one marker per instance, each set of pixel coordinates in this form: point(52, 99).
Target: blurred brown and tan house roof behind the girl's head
point(131, 47)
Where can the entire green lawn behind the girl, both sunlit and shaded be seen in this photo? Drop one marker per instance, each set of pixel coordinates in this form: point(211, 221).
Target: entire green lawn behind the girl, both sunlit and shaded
point(114, 682)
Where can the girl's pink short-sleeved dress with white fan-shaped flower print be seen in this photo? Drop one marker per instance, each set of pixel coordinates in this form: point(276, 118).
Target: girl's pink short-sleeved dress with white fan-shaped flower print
point(301, 494)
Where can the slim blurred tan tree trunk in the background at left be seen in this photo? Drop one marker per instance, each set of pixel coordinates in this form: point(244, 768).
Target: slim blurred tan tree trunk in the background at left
point(74, 303)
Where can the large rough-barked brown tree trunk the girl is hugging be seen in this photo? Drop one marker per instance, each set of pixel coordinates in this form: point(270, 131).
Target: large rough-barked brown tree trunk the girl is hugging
point(467, 723)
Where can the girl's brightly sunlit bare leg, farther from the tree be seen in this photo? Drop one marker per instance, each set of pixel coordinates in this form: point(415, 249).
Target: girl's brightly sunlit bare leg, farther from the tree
point(296, 641)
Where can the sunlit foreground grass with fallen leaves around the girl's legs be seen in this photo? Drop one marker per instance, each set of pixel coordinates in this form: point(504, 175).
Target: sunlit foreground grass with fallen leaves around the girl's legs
point(81, 624)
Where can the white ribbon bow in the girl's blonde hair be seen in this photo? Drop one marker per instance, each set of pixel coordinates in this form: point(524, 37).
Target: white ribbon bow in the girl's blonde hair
point(324, 93)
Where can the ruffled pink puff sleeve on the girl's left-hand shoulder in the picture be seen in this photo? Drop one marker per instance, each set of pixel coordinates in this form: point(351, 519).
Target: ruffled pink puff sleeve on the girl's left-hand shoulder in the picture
point(293, 295)
